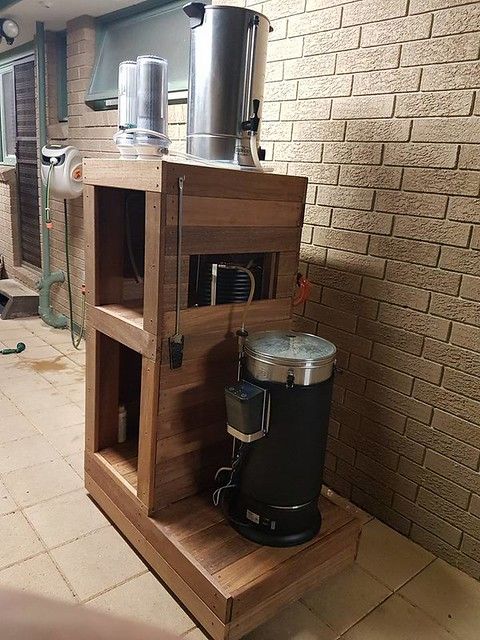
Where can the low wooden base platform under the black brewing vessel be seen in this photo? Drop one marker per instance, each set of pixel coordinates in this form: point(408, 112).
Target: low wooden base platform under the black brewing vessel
point(229, 584)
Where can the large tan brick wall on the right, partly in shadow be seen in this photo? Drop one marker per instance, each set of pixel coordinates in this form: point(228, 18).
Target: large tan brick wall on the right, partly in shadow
point(375, 102)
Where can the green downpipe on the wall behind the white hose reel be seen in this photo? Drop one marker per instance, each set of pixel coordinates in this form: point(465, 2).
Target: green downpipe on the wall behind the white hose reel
point(44, 285)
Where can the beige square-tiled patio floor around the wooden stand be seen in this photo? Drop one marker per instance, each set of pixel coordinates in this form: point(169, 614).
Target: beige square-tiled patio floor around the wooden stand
point(54, 541)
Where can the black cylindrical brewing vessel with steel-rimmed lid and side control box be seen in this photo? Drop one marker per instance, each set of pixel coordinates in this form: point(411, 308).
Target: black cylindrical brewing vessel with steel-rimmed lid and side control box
point(279, 412)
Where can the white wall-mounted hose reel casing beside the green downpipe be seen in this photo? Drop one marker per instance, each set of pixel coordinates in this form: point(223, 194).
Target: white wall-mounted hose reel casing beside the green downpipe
point(66, 180)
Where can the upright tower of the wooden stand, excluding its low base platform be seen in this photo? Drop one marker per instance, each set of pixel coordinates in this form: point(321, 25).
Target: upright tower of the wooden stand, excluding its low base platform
point(181, 424)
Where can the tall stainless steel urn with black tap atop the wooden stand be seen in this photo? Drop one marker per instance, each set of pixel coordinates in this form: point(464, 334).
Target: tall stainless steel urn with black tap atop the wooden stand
point(227, 72)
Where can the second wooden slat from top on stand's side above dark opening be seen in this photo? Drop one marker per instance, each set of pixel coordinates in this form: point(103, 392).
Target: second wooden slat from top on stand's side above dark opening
point(214, 212)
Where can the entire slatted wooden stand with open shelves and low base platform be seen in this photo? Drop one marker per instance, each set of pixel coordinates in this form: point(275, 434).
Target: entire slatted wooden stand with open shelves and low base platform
point(156, 486)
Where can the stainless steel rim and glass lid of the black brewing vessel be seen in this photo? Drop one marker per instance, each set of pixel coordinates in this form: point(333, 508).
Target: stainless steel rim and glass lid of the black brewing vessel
point(280, 355)
